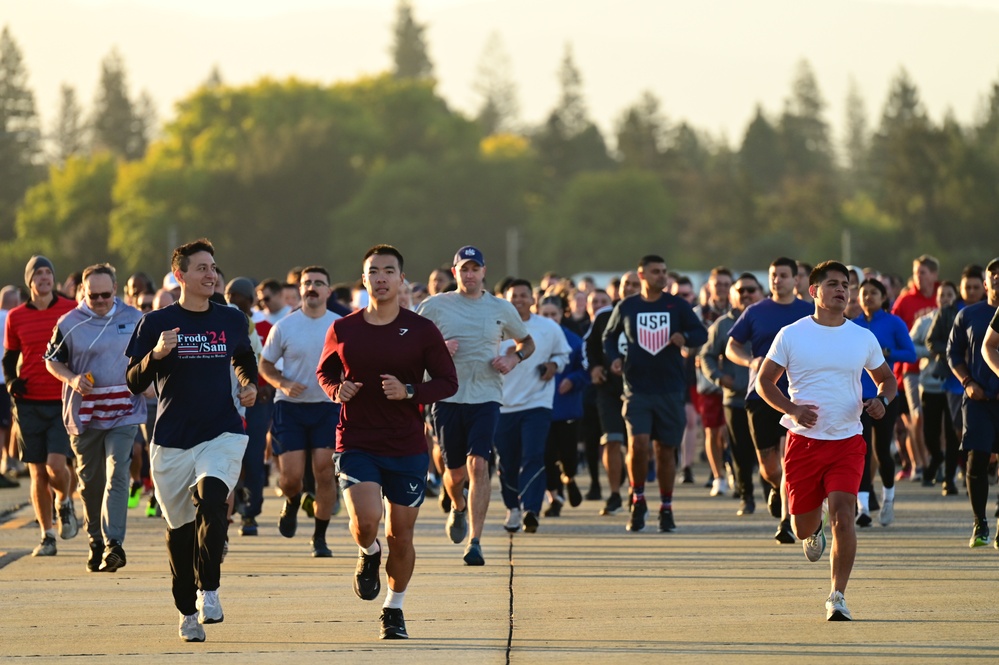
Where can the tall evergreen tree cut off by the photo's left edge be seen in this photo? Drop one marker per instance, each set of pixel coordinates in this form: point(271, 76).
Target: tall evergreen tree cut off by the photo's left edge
point(20, 138)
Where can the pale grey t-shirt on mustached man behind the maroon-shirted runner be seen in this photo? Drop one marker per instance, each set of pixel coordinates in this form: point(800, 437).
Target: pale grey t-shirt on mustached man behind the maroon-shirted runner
point(298, 341)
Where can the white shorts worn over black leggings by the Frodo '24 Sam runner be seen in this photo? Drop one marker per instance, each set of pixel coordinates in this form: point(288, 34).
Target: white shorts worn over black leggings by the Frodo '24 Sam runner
point(176, 472)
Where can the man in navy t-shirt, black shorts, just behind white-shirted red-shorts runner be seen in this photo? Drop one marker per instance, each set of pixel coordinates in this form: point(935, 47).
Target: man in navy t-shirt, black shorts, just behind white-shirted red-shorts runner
point(749, 341)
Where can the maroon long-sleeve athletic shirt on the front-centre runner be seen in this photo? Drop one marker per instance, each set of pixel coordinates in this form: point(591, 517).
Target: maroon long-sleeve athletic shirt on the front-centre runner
point(362, 352)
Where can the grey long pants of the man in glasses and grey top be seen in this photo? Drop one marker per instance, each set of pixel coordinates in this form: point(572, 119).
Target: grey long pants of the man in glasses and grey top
point(103, 458)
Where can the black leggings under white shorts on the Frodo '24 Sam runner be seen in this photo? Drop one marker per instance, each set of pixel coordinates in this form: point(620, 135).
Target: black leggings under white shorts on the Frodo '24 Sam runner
point(195, 549)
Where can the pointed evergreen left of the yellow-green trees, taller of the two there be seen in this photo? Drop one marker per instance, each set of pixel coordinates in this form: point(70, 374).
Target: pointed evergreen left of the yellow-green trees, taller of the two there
point(116, 126)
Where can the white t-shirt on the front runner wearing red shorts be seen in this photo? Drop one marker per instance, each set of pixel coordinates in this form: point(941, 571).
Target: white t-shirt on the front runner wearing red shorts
point(823, 365)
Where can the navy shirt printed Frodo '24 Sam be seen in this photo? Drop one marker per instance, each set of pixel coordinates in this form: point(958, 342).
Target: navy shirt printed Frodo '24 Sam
point(194, 382)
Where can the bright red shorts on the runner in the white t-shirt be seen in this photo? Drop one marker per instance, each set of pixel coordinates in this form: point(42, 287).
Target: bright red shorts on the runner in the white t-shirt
point(815, 467)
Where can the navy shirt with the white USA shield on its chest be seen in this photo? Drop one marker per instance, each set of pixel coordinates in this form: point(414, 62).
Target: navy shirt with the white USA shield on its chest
point(652, 365)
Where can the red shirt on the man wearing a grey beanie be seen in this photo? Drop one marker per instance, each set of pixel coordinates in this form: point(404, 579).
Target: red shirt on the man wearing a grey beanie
point(29, 330)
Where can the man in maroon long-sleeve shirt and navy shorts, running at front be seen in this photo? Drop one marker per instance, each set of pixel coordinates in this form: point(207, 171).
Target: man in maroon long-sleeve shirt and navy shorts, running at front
point(373, 364)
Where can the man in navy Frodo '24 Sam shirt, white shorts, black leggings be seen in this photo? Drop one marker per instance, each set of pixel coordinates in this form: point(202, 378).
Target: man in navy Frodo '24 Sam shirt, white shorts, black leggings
point(187, 351)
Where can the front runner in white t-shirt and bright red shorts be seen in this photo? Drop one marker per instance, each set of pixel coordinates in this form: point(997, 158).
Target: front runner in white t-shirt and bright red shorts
point(823, 355)
